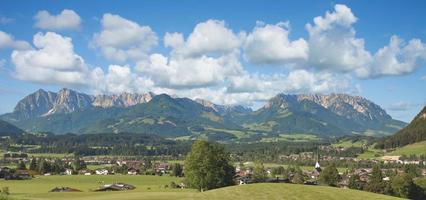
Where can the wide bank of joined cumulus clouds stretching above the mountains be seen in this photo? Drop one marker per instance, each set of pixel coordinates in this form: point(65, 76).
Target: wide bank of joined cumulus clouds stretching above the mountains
point(208, 62)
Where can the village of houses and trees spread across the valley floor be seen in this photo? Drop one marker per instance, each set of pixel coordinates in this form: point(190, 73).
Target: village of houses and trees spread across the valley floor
point(295, 171)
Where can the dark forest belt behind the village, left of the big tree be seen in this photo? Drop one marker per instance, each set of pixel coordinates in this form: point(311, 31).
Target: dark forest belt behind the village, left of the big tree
point(123, 144)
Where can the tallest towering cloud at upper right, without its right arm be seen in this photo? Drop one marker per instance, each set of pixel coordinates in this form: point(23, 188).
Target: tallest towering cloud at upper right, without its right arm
point(333, 45)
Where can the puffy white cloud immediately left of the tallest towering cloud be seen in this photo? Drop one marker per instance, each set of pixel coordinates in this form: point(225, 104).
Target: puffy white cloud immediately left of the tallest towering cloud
point(270, 44)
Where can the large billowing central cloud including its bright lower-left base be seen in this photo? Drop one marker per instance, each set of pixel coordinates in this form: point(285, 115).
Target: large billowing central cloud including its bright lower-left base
point(207, 57)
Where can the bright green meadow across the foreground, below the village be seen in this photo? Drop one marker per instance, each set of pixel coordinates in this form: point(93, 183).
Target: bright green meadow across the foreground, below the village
point(152, 187)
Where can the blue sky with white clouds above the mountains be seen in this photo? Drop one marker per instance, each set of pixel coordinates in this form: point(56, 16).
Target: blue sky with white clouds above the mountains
point(227, 52)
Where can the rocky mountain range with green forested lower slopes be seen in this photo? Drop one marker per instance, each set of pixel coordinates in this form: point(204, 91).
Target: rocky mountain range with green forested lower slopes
point(317, 114)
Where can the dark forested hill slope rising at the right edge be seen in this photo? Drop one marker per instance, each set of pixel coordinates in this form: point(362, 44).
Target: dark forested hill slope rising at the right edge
point(412, 133)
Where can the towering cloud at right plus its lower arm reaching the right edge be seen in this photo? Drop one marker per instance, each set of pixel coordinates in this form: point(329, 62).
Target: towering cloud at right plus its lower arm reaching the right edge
point(333, 46)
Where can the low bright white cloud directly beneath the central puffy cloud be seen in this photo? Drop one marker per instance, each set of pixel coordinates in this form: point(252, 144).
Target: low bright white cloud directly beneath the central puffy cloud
point(190, 72)
